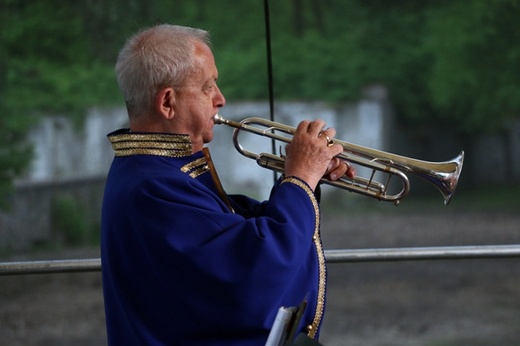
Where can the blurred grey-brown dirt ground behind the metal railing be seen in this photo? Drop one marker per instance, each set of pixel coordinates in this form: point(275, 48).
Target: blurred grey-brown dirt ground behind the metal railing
point(432, 303)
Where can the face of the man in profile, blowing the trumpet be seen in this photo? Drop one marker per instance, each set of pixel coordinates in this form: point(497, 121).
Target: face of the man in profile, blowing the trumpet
point(199, 100)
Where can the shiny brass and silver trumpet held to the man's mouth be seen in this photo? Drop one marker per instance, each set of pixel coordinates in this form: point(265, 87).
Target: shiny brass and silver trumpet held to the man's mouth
point(443, 175)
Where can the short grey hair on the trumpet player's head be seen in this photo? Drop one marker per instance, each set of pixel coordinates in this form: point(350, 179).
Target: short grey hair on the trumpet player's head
point(152, 59)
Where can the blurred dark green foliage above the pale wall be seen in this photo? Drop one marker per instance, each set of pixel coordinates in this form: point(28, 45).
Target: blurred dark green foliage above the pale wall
point(450, 64)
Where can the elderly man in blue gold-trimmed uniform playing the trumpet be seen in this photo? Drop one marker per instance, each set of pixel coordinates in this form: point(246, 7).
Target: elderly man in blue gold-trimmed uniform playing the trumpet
point(183, 262)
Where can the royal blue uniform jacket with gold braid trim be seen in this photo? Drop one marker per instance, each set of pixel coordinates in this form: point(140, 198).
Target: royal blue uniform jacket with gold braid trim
point(180, 268)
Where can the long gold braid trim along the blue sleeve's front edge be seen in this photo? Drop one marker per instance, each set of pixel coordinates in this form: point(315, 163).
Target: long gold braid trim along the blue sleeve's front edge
point(320, 304)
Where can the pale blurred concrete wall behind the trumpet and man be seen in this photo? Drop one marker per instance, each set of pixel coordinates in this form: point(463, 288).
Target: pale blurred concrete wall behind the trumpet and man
point(65, 153)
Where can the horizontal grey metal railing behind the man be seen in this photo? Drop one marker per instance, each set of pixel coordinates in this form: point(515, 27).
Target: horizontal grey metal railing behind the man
point(332, 256)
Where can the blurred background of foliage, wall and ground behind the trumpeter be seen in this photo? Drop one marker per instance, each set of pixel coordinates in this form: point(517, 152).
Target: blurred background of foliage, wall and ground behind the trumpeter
point(424, 79)
